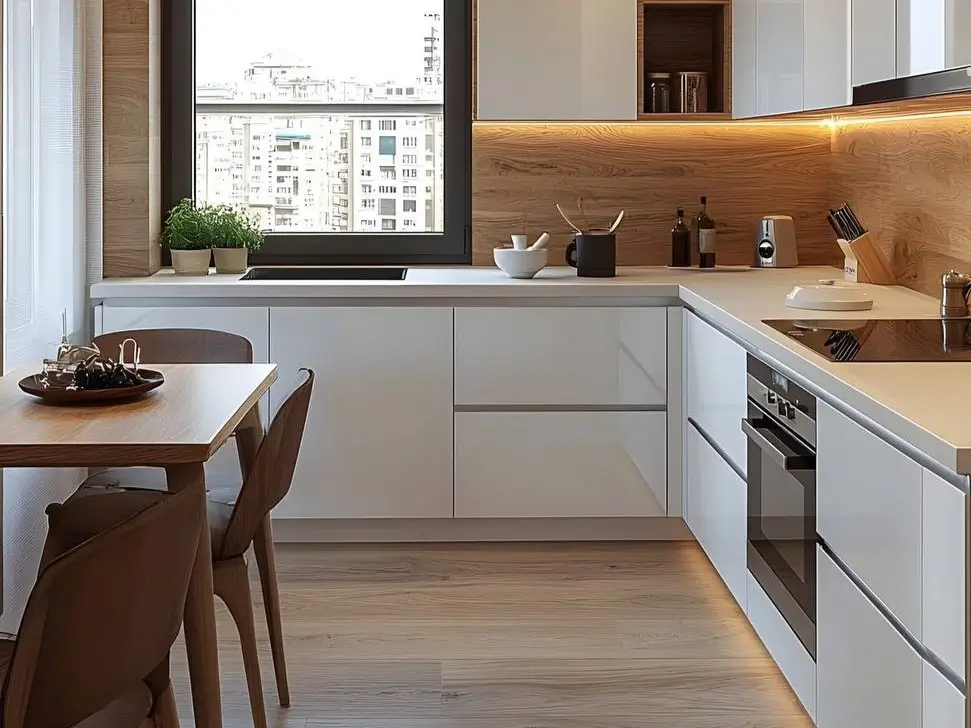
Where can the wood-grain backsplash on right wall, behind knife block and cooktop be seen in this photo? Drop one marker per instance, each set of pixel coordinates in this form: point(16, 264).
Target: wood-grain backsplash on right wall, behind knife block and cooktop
point(909, 180)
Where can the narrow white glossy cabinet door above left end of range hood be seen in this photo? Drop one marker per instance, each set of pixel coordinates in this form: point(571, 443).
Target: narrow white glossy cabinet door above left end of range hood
point(873, 40)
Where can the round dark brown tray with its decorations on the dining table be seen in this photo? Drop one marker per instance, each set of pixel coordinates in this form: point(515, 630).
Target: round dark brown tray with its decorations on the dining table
point(81, 375)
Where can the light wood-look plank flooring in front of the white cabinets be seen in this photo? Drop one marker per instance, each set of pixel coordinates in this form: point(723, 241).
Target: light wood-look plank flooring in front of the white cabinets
point(507, 636)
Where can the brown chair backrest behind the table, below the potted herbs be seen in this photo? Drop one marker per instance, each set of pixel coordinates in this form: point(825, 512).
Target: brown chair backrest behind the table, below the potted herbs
point(181, 346)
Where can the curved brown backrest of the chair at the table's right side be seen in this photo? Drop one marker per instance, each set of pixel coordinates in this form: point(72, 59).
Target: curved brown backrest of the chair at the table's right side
point(271, 474)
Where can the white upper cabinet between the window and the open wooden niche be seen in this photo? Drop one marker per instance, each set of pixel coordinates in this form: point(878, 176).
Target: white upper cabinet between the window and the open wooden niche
point(557, 60)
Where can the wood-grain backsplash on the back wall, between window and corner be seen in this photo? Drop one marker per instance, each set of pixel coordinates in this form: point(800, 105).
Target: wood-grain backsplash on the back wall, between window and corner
point(747, 170)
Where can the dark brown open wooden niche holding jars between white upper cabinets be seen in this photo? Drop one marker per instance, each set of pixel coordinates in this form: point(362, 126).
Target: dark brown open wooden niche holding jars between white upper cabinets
point(685, 35)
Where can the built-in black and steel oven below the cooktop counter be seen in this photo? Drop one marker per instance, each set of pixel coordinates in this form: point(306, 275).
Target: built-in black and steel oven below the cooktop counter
point(781, 432)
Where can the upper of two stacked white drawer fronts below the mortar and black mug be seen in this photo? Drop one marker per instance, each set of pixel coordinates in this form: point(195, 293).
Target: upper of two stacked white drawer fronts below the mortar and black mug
point(560, 356)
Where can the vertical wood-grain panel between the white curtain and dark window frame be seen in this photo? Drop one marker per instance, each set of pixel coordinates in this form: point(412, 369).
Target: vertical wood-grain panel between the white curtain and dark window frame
point(131, 138)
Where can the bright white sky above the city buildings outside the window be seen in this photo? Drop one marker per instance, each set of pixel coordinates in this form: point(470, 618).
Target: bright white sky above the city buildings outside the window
point(371, 40)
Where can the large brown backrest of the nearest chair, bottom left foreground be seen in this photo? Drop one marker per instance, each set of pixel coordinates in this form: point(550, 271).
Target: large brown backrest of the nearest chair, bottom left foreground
point(104, 614)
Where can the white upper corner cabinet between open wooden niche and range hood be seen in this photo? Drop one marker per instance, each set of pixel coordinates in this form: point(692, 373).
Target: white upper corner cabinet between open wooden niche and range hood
point(789, 56)
